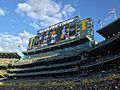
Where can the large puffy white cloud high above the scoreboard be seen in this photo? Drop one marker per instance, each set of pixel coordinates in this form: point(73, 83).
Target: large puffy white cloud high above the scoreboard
point(47, 12)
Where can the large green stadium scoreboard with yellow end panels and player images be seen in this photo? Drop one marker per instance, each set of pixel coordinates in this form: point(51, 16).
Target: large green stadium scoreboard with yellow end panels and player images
point(62, 31)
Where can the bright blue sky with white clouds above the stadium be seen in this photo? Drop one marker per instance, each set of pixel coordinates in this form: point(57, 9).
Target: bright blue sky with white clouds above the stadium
point(20, 19)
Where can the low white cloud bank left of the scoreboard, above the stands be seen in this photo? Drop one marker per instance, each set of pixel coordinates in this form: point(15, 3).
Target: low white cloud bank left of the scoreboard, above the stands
point(11, 43)
